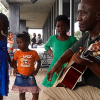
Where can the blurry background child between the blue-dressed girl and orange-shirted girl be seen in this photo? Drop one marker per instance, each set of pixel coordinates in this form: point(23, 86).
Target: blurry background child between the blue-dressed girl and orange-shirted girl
point(10, 43)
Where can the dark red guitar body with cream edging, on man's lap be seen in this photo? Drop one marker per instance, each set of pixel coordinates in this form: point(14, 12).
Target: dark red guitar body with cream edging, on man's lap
point(70, 76)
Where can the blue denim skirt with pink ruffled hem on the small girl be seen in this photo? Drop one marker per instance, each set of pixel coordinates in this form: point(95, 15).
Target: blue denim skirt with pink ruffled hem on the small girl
point(25, 84)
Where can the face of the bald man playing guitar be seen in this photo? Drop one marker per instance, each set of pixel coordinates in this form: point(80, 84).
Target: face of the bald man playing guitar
point(86, 17)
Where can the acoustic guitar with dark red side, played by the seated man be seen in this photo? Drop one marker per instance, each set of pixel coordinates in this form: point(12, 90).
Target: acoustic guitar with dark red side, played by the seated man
point(72, 72)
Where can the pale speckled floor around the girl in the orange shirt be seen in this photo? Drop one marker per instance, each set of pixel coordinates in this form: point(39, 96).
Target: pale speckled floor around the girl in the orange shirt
point(15, 95)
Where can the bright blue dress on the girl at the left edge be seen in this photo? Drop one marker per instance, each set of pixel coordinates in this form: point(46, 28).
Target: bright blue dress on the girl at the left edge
point(4, 78)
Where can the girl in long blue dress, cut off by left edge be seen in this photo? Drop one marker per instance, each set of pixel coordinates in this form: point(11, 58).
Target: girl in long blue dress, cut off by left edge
point(4, 56)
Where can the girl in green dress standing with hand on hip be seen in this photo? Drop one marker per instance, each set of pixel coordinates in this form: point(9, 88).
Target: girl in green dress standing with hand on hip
point(59, 44)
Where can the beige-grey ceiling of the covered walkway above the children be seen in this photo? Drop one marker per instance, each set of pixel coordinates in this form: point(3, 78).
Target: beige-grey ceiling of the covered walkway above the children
point(35, 14)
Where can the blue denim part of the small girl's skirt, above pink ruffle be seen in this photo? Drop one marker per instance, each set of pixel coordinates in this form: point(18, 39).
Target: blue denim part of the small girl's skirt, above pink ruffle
point(25, 81)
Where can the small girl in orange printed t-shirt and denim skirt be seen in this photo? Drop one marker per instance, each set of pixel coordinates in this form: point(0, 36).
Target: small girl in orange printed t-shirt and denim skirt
point(25, 80)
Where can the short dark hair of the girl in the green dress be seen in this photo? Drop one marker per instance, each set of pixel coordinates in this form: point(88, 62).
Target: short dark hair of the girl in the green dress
point(63, 18)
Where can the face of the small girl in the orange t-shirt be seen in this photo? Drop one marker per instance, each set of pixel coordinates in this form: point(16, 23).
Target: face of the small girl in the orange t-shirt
point(22, 44)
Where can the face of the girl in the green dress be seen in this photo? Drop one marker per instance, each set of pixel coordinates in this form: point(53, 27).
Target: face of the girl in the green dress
point(61, 27)
